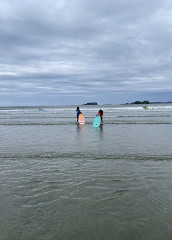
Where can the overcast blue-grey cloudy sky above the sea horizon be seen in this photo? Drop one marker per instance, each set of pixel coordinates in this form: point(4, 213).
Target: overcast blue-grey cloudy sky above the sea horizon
point(55, 52)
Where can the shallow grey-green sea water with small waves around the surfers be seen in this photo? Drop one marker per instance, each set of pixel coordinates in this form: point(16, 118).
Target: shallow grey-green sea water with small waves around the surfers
point(60, 180)
